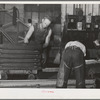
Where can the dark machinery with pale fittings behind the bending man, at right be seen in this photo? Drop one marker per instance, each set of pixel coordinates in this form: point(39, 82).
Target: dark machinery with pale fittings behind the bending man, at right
point(86, 30)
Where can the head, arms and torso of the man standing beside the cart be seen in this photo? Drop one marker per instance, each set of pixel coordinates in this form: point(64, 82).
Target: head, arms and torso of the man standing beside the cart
point(41, 32)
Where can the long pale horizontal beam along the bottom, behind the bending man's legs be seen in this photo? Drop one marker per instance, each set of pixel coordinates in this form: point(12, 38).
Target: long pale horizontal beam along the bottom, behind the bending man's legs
point(40, 83)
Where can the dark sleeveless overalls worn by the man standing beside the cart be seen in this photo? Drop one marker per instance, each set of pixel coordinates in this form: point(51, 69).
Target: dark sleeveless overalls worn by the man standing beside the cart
point(39, 37)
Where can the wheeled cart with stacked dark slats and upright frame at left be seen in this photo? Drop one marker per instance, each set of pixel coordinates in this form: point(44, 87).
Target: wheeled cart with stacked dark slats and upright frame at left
point(15, 56)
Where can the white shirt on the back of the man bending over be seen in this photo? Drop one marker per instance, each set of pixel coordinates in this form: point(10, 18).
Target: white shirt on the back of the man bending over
point(77, 44)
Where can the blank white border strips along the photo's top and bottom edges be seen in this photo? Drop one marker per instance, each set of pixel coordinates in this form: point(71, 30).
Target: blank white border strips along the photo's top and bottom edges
point(31, 93)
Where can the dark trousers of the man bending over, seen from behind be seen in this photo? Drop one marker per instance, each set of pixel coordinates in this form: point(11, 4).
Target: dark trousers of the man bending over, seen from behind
point(72, 58)
